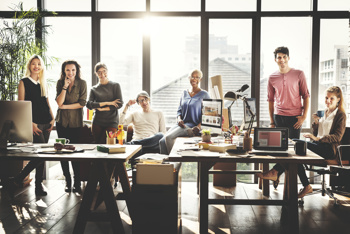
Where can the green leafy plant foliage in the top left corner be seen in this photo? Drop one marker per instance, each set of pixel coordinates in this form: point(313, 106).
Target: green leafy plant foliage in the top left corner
point(18, 42)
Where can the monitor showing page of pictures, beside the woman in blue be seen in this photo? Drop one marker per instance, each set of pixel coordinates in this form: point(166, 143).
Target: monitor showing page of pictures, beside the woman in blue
point(212, 115)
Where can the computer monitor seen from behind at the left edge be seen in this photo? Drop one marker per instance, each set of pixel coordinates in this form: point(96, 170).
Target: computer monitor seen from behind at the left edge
point(15, 122)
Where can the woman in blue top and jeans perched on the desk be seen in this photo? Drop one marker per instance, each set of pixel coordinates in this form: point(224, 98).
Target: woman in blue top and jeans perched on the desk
point(189, 113)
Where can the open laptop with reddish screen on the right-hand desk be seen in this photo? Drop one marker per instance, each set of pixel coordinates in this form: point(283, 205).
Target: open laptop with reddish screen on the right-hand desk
point(270, 141)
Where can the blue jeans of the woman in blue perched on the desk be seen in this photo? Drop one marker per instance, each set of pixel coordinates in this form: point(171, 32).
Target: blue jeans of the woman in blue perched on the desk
point(167, 142)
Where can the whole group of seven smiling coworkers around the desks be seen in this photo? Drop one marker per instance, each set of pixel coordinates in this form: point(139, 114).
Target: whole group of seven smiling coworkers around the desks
point(288, 99)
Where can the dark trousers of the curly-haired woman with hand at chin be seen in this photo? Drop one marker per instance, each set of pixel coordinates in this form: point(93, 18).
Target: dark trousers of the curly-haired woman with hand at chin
point(73, 135)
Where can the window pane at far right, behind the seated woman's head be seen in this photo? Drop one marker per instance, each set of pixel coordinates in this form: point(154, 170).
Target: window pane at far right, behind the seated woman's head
point(334, 63)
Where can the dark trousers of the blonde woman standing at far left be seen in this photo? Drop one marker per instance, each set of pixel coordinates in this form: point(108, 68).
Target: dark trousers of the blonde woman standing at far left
point(37, 164)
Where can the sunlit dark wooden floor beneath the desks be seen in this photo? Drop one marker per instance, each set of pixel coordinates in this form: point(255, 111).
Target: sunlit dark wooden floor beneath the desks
point(56, 213)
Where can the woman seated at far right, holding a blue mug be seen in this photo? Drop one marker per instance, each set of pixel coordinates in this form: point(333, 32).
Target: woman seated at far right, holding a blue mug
point(327, 134)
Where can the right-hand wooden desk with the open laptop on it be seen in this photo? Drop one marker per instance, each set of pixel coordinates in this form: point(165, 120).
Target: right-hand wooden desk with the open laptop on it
point(290, 196)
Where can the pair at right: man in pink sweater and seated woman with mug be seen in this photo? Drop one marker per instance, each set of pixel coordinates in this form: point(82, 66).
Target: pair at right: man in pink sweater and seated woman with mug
point(288, 98)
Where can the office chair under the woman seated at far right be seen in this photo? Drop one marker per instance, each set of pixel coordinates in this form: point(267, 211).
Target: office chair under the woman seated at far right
point(338, 169)
